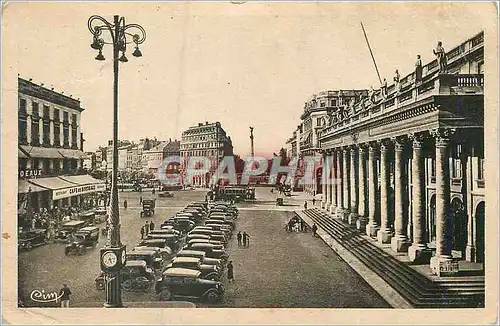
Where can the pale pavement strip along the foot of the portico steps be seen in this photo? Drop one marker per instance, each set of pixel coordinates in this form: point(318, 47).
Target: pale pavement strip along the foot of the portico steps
point(383, 288)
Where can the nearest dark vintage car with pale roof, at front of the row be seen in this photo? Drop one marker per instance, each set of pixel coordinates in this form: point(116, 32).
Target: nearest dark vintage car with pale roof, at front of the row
point(187, 283)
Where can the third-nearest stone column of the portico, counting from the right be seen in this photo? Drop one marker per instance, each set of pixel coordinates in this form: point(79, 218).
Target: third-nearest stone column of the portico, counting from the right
point(400, 242)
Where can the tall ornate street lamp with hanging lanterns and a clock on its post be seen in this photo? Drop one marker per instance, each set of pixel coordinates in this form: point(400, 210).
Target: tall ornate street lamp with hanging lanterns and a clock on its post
point(113, 255)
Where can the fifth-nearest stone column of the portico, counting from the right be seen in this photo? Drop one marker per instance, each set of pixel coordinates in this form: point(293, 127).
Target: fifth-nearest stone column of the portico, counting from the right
point(372, 227)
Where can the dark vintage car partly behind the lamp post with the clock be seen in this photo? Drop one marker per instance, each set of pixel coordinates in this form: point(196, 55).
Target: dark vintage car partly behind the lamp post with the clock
point(135, 276)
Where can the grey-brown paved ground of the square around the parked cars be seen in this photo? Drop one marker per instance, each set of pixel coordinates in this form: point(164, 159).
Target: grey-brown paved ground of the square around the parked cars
point(278, 269)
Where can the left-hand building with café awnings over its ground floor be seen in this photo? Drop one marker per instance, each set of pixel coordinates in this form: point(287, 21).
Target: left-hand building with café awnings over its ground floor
point(50, 149)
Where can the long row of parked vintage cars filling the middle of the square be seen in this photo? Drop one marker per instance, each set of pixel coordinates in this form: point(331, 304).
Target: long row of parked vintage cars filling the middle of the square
point(196, 270)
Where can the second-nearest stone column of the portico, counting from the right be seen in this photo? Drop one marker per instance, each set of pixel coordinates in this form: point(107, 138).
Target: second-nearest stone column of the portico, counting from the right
point(418, 251)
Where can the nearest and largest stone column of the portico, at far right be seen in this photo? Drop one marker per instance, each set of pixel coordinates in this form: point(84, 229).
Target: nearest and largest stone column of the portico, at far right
point(442, 263)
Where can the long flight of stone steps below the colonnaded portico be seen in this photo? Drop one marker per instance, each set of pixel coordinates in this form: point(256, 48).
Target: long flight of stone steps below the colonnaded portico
point(416, 288)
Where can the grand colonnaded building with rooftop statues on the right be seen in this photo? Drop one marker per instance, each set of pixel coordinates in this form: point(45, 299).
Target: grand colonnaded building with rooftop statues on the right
point(405, 164)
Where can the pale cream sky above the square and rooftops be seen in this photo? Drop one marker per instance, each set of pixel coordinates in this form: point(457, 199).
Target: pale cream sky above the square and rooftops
point(251, 64)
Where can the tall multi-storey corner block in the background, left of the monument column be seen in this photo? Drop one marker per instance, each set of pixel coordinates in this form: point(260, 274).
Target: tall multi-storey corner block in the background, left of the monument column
point(205, 140)
